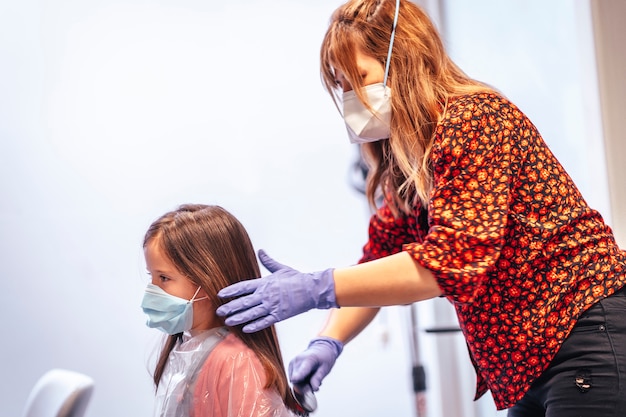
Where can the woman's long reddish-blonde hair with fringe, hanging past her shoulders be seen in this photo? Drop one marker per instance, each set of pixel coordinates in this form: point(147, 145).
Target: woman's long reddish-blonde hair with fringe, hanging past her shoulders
point(422, 78)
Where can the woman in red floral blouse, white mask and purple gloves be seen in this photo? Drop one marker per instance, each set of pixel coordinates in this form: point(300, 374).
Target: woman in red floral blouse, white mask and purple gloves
point(476, 209)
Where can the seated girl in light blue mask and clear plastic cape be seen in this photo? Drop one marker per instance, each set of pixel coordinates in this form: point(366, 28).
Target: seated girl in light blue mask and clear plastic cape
point(206, 368)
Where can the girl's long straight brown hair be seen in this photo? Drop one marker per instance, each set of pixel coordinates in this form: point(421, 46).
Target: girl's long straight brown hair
point(211, 247)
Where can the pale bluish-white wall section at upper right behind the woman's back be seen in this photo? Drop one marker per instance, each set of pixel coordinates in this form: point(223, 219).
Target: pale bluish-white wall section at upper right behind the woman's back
point(541, 55)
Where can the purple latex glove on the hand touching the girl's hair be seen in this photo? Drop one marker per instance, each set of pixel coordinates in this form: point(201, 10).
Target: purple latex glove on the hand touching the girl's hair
point(283, 294)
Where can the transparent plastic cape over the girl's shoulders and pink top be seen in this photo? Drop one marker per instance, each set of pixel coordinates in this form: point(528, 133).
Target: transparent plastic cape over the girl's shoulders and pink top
point(214, 374)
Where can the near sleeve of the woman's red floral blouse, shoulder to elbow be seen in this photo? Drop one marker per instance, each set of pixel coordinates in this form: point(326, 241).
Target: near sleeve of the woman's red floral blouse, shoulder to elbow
point(475, 147)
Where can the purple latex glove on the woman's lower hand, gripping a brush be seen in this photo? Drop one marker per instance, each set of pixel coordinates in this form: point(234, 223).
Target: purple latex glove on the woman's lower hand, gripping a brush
point(311, 366)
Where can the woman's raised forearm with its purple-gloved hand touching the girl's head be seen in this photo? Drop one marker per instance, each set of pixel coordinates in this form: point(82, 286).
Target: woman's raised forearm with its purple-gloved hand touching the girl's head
point(395, 279)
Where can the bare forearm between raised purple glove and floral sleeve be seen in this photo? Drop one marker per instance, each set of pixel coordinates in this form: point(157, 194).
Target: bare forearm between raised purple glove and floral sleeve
point(392, 280)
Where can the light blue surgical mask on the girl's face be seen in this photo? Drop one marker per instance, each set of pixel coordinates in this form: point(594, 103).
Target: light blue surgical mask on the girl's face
point(167, 312)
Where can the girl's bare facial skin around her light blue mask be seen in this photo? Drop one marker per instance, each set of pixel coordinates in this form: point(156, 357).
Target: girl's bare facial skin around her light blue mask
point(165, 275)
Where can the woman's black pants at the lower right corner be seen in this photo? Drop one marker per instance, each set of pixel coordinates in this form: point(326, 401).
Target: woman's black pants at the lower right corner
point(587, 377)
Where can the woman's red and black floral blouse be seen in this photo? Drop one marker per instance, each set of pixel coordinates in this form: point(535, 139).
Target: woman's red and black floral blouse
point(510, 240)
